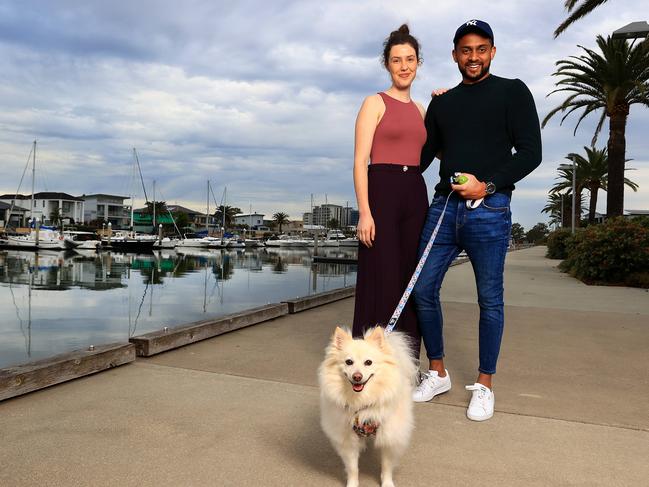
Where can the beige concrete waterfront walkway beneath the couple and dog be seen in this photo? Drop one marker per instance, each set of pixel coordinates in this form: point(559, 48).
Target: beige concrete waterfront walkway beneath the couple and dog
point(242, 409)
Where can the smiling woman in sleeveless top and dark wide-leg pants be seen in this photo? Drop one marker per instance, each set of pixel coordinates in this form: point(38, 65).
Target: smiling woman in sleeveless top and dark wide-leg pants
point(391, 192)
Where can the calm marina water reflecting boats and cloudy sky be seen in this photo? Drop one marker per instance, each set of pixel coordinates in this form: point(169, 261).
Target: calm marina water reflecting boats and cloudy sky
point(141, 293)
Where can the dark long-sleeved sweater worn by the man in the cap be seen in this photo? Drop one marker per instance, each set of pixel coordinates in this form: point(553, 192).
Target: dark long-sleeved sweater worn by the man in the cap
point(475, 127)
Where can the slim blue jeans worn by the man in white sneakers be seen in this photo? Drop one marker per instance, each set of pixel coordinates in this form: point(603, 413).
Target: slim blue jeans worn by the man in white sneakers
point(484, 234)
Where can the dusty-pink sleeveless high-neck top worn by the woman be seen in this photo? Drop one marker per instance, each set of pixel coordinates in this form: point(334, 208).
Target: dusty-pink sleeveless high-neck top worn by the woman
point(400, 134)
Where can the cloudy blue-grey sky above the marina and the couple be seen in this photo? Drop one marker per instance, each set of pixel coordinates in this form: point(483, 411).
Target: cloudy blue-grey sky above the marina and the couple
point(257, 96)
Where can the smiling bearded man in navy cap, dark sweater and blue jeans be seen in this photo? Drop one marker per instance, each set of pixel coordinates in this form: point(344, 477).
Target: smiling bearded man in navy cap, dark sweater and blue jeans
point(474, 127)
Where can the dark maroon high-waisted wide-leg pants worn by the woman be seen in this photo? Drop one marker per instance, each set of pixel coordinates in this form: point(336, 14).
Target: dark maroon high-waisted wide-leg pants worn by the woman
point(399, 203)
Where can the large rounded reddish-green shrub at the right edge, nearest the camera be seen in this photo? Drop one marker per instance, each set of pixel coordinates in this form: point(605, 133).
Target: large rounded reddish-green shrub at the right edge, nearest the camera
point(611, 253)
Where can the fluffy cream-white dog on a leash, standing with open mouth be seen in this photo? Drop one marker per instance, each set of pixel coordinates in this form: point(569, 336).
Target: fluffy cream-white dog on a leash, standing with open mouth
point(366, 390)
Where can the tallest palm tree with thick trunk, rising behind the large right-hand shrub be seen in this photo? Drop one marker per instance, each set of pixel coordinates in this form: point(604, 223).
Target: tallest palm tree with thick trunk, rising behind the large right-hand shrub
point(611, 81)
